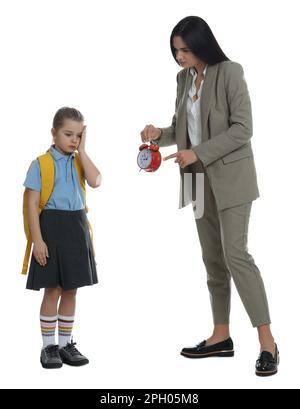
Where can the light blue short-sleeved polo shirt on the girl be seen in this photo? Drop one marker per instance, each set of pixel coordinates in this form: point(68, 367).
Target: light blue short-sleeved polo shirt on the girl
point(67, 193)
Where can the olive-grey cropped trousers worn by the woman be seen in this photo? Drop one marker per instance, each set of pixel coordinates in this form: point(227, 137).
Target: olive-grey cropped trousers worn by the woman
point(223, 238)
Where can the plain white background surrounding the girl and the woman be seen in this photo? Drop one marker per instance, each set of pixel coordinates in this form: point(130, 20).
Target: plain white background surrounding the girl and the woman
point(112, 61)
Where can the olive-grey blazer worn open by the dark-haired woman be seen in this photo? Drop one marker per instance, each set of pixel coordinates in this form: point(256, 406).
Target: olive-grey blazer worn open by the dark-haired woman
point(226, 119)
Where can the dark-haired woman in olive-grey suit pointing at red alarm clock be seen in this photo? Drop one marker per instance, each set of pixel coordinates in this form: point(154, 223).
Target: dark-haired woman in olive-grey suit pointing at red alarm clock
point(212, 128)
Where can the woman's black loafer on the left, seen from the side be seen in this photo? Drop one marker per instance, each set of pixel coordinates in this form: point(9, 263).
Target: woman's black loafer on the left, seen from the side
point(221, 349)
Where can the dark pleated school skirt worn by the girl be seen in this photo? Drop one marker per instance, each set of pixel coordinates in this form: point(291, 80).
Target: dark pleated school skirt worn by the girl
point(71, 262)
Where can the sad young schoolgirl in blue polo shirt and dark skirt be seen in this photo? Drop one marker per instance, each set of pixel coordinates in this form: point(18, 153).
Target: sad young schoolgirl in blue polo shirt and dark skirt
point(62, 257)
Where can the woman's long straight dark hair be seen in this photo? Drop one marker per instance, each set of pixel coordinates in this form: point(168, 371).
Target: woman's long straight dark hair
point(199, 38)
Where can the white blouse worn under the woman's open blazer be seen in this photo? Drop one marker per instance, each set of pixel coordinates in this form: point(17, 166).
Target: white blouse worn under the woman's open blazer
point(193, 110)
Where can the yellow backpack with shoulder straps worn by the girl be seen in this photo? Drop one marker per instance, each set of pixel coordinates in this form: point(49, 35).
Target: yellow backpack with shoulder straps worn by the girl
point(47, 182)
